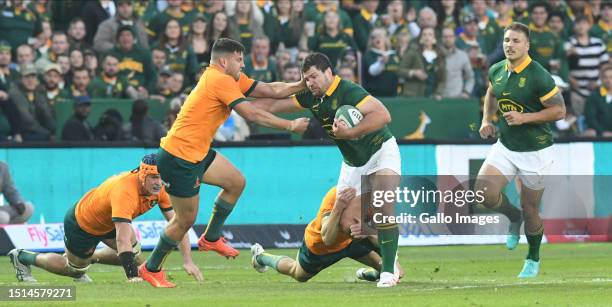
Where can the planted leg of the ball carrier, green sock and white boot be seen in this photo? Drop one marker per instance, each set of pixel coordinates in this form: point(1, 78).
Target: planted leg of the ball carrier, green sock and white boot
point(388, 233)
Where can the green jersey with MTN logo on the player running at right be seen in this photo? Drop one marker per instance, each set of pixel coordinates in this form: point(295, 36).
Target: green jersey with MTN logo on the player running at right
point(522, 90)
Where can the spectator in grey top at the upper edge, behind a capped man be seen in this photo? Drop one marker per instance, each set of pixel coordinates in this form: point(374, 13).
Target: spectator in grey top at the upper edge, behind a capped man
point(106, 36)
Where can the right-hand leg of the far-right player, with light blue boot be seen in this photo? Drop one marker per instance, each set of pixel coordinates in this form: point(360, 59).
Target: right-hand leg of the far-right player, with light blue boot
point(534, 230)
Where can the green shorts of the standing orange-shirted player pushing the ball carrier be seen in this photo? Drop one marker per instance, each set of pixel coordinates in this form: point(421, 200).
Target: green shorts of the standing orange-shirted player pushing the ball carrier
point(182, 177)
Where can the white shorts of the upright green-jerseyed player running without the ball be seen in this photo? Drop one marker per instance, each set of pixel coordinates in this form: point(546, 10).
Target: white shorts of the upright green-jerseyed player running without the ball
point(530, 166)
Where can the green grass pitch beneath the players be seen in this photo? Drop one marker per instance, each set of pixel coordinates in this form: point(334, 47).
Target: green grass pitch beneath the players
point(571, 274)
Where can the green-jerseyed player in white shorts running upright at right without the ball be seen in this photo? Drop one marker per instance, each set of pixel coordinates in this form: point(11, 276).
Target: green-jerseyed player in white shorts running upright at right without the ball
point(526, 99)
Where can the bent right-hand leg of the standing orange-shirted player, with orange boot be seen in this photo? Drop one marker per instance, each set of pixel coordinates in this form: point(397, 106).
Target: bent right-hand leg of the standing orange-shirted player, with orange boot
point(224, 174)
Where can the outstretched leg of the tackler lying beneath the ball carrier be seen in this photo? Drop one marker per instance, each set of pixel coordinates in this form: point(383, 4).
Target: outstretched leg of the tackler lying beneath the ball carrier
point(282, 264)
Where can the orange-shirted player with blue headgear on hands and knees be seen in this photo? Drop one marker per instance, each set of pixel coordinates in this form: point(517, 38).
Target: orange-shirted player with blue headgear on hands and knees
point(105, 214)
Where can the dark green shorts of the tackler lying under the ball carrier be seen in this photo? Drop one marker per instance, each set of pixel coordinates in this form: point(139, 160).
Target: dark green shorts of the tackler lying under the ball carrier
point(314, 264)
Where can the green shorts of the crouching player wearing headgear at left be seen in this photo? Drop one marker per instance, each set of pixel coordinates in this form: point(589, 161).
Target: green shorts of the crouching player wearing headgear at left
point(79, 242)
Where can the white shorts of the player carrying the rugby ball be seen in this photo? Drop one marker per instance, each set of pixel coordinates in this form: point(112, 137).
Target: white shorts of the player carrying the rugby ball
point(387, 157)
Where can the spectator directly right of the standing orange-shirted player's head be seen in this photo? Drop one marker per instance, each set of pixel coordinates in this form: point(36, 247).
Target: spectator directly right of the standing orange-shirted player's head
point(259, 65)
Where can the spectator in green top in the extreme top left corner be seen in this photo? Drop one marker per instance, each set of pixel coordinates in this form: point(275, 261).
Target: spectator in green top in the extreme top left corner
point(18, 23)
